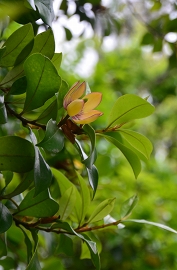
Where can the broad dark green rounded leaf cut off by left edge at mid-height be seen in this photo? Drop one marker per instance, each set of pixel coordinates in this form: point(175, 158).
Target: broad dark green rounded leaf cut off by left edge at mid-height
point(12, 154)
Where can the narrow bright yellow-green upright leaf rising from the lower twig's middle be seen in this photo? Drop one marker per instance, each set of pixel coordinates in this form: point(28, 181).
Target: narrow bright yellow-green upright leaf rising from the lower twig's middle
point(85, 196)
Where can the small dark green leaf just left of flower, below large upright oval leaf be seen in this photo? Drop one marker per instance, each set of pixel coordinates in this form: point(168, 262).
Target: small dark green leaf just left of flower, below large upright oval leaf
point(49, 113)
